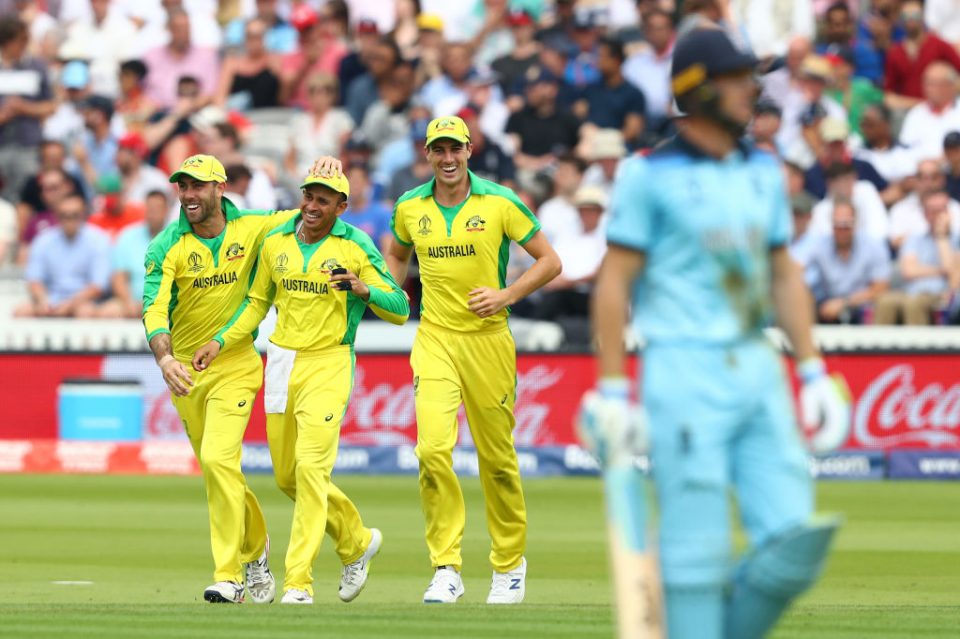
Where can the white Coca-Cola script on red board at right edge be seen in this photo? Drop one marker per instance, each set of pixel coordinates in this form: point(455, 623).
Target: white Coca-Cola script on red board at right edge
point(892, 412)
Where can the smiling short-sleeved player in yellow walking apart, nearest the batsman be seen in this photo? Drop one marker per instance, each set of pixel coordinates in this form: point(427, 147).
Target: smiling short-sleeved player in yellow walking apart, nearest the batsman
point(460, 227)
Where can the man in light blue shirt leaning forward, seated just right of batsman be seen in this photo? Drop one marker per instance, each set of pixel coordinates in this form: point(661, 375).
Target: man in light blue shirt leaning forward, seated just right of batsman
point(849, 269)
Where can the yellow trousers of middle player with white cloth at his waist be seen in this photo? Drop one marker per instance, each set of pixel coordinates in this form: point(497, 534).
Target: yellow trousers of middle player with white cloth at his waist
point(303, 446)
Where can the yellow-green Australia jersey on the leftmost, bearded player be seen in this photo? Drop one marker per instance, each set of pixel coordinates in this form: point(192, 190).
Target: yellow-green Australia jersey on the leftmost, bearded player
point(194, 285)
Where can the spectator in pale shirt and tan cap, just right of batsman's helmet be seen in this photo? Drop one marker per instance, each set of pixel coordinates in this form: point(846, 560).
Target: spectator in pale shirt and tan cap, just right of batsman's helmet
point(804, 108)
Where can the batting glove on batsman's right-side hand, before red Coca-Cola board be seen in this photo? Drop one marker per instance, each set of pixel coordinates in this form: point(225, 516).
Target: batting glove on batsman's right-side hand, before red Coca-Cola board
point(824, 406)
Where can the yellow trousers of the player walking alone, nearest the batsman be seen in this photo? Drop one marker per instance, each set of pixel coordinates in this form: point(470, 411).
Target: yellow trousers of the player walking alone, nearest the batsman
point(478, 369)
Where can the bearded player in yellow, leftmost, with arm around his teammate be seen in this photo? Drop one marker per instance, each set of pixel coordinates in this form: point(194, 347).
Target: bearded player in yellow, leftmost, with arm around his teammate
point(198, 271)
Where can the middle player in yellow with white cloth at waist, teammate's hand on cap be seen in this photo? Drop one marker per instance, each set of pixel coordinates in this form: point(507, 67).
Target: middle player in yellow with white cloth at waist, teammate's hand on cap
point(321, 273)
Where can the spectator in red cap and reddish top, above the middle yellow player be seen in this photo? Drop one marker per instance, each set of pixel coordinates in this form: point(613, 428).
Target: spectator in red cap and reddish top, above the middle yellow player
point(317, 51)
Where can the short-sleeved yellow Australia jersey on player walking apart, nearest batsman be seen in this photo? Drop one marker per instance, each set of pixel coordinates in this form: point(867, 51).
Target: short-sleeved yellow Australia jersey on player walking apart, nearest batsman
point(460, 250)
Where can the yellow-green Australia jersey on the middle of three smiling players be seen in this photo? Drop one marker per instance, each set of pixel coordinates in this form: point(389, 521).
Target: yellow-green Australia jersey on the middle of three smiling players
point(311, 313)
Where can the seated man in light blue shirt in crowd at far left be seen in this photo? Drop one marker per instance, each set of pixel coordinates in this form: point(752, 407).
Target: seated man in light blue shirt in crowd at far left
point(69, 266)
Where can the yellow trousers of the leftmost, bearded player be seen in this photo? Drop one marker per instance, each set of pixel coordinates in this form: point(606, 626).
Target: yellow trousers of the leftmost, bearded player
point(215, 415)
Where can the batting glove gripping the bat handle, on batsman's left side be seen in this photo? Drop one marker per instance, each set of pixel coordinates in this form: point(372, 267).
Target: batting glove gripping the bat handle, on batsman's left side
point(609, 425)
